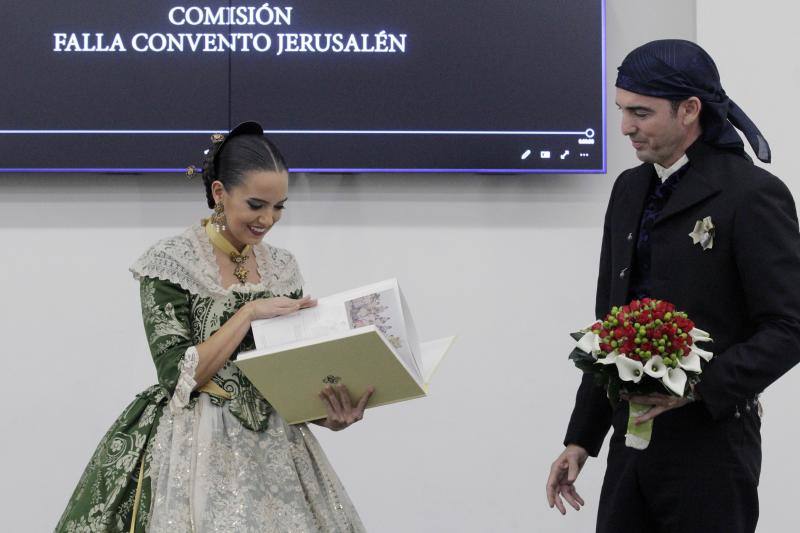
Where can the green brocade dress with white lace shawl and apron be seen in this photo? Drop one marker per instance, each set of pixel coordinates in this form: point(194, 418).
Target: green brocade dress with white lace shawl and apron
point(206, 463)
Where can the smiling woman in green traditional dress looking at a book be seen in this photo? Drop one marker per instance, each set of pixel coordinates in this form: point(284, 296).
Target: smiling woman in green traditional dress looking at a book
point(203, 450)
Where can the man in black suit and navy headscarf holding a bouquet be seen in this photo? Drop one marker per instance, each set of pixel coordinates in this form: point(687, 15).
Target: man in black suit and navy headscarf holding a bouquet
point(741, 282)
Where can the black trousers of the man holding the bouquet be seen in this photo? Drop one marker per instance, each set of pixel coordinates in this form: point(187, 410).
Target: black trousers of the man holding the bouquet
point(697, 475)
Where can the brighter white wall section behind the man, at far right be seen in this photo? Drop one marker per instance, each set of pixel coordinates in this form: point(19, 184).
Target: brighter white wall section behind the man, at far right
point(755, 47)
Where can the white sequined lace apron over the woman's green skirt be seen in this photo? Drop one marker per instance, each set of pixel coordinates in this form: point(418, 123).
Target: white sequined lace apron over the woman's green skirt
point(211, 474)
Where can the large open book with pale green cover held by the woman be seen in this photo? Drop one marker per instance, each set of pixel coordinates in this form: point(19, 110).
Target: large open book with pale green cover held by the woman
point(362, 337)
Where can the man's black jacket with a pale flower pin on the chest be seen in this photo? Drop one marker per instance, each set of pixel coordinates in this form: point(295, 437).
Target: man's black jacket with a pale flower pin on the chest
point(745, 290)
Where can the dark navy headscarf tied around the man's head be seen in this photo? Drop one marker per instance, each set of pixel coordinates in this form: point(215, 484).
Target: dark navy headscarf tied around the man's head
point(676, 69)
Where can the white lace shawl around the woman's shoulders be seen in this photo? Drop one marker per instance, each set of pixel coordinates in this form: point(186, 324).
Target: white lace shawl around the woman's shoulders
point(188, 261)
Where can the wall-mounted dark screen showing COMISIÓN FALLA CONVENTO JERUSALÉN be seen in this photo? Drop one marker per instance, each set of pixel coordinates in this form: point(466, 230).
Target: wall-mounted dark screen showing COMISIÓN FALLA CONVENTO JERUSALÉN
point(340, 85)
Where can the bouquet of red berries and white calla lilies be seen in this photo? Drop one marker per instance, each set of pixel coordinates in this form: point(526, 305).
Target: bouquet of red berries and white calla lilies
point(641, 348)
